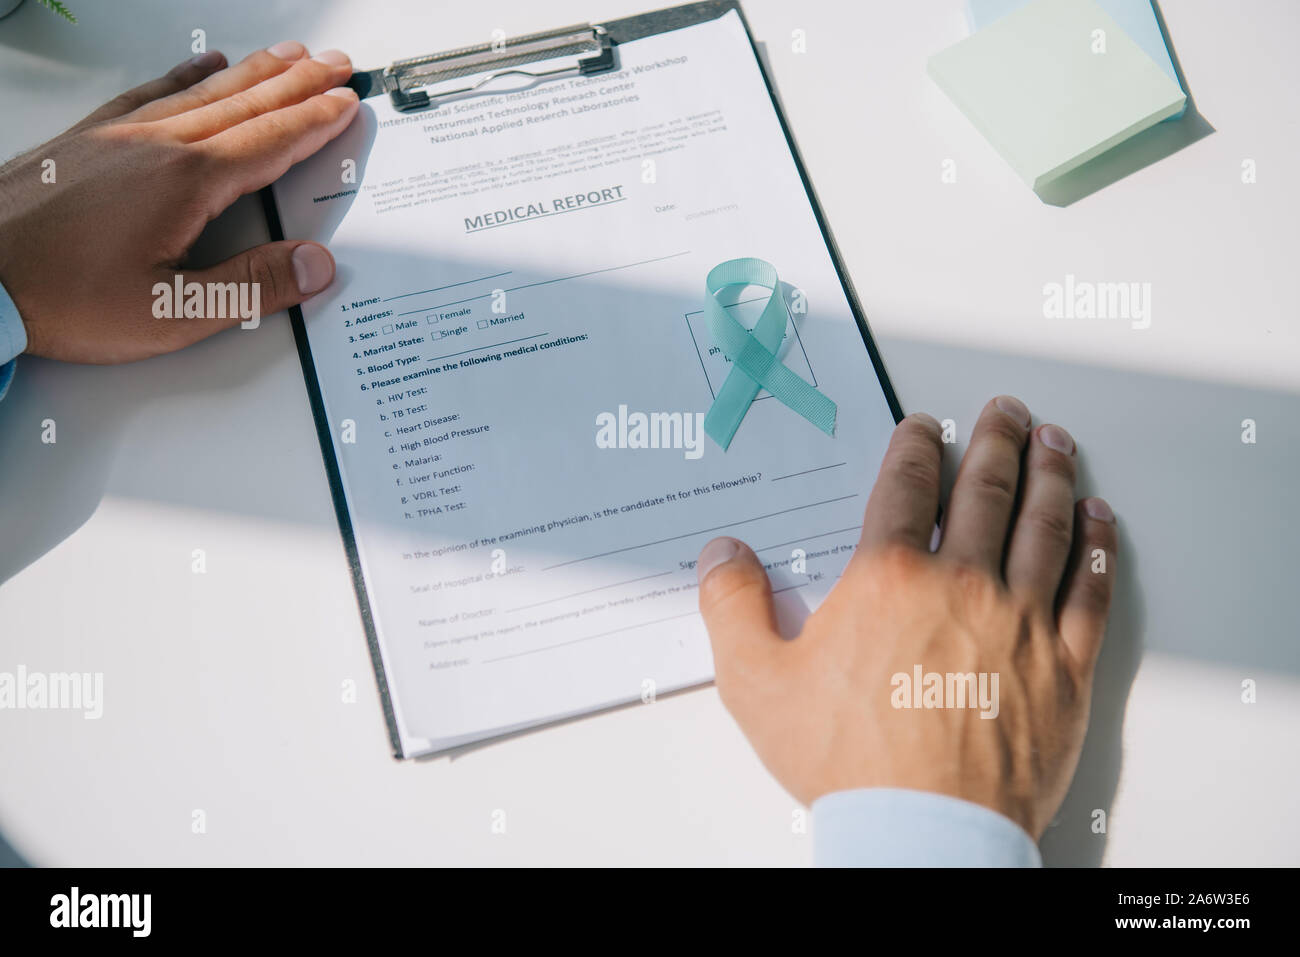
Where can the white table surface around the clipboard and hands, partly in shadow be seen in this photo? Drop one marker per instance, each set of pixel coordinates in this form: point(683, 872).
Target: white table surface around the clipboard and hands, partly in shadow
point(223, 690)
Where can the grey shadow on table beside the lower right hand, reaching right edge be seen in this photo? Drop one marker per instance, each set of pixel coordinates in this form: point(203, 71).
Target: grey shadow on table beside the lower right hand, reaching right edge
point(1203, 527)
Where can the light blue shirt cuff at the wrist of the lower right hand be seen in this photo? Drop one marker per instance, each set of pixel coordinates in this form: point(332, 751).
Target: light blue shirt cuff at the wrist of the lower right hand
point(891, 828)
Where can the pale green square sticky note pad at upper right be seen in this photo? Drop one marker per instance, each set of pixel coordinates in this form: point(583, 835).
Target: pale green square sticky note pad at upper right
point(1055, 84)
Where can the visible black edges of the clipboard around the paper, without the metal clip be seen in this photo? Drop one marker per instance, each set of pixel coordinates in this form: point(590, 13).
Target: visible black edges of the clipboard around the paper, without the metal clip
point(621, 32)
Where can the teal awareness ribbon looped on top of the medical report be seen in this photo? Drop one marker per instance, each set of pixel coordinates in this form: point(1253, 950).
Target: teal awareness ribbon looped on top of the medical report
point(753, 354)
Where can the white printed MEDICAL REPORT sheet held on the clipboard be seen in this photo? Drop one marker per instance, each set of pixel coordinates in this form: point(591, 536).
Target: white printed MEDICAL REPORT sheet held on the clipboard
point(515, 270)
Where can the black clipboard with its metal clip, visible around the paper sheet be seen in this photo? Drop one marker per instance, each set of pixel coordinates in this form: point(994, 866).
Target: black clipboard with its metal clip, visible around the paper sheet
point(424, 84)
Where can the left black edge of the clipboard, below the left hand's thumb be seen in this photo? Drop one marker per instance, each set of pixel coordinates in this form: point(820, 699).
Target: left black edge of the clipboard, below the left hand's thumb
point(336, 487)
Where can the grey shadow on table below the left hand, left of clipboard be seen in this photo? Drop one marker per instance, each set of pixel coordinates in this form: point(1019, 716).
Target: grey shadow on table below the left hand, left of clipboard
point(50, 488)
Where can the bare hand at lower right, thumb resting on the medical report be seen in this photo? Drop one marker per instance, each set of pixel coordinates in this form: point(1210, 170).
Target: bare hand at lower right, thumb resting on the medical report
point(1020, 588)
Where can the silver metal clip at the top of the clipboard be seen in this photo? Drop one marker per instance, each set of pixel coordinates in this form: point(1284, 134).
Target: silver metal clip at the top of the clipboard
point(587, 50)
